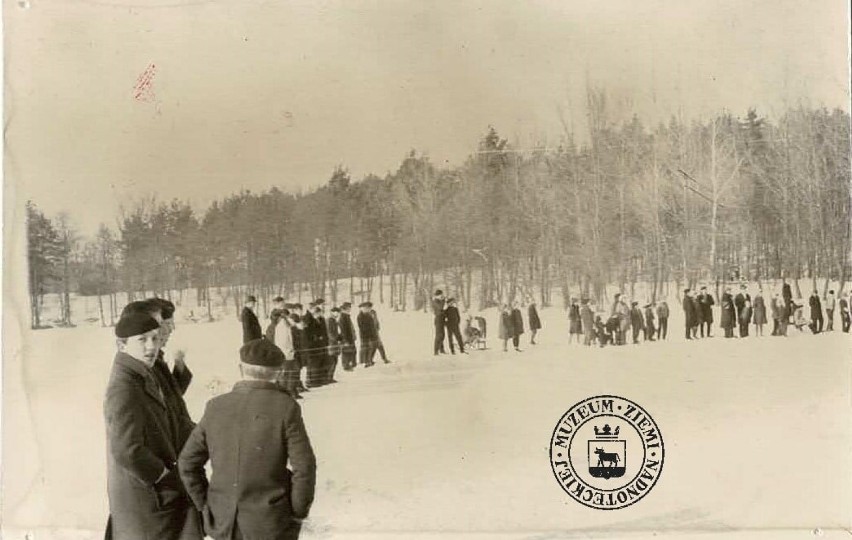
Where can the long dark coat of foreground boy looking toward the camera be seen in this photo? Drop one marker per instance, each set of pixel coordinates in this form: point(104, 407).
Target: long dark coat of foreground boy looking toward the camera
point(144, 437)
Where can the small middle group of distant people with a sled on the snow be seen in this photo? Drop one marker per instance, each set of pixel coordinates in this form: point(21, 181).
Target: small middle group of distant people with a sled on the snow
point(467, 331)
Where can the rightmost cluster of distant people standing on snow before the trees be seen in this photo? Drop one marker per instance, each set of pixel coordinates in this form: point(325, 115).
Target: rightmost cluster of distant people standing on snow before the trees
point(742, 310)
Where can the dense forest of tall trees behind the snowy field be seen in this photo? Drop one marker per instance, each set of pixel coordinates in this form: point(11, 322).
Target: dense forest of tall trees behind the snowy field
point(725, 198)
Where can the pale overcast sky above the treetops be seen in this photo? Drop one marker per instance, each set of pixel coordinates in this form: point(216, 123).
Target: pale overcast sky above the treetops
point(254, 94)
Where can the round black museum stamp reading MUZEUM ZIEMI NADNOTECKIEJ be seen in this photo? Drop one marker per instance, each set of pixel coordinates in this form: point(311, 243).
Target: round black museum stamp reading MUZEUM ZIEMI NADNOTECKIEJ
point(606, 452)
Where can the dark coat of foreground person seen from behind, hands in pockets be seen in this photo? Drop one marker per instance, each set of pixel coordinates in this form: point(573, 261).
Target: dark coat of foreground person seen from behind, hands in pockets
point(250, 433)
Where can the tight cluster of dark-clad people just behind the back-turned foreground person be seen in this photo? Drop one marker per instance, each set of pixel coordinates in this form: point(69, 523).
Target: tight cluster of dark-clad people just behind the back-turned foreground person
point(313, 342)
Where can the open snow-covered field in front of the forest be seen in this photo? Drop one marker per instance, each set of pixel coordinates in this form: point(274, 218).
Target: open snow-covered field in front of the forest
point(757, 433)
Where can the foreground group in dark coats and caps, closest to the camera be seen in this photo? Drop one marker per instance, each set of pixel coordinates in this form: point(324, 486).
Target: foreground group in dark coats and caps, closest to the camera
point(254, 437)
